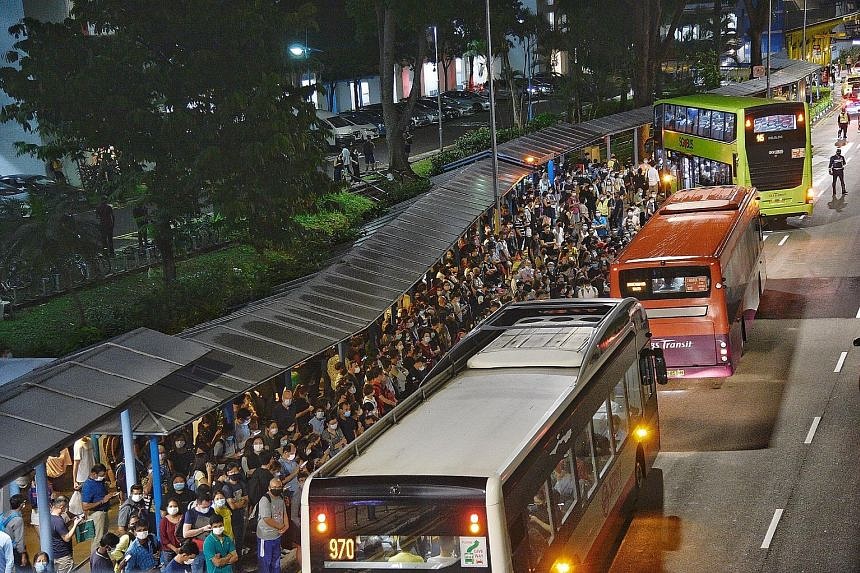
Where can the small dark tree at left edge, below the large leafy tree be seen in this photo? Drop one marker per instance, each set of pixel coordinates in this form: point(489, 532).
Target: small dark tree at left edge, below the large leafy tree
point(52, 241)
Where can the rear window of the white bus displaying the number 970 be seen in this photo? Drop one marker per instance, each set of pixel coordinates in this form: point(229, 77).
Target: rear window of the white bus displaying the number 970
point(425, 534)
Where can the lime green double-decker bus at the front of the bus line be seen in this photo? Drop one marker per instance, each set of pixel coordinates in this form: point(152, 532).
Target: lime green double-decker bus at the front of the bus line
point(709, 139)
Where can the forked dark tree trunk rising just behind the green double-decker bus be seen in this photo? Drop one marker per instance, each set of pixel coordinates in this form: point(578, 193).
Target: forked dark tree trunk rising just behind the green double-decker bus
point(650, 45)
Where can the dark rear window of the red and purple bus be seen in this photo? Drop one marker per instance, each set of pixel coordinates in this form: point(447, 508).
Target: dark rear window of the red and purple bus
point(656, 283)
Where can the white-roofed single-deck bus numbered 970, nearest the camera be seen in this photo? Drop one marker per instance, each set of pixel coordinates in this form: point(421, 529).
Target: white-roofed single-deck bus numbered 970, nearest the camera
point(519, 453)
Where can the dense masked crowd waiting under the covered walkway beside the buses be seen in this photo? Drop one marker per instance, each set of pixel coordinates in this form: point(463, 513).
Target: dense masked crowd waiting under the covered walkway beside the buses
point(231, 485)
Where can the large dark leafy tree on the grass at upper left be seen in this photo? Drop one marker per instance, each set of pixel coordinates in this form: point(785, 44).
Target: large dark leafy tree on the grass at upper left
point(195, 96)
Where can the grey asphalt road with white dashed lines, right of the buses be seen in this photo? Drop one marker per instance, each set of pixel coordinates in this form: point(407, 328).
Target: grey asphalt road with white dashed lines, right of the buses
point(760, 472)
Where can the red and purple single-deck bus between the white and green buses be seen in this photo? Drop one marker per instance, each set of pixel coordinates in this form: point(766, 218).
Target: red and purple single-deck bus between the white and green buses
point(697, 266)
